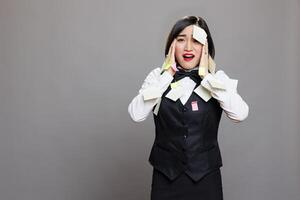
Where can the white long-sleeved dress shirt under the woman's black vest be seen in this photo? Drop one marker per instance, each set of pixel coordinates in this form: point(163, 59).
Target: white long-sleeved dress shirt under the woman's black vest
point(156, 84)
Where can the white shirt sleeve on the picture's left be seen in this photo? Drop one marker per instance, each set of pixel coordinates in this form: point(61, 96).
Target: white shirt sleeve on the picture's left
point(153, 87)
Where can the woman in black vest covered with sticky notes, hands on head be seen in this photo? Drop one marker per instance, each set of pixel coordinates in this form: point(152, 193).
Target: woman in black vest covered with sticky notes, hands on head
point(187, 98)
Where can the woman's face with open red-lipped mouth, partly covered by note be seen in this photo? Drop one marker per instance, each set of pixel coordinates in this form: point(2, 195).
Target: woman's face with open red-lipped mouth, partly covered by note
point(187, 49)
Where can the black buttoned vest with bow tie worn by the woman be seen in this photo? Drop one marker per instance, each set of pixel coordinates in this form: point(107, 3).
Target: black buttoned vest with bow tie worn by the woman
point(186, 140)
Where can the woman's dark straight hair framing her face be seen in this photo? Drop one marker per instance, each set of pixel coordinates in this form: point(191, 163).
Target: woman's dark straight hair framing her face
point(184, 22)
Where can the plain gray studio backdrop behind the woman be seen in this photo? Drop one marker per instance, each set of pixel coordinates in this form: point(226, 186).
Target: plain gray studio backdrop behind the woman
point(69, 68)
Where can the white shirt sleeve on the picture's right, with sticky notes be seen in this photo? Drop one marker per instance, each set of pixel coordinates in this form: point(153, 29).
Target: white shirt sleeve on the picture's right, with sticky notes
point(231, 102)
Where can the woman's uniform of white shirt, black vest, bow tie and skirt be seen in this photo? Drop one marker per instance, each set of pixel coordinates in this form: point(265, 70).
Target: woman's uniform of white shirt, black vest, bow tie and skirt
point(185, 155)
